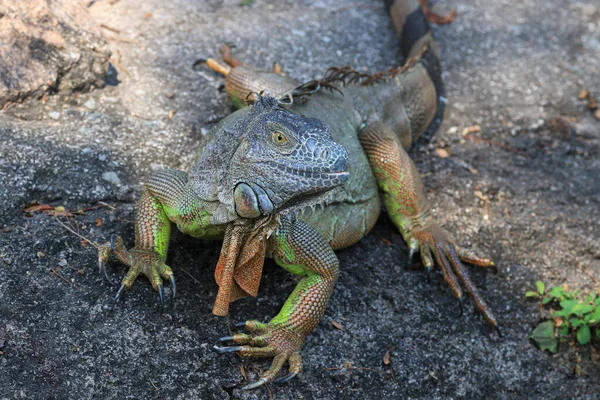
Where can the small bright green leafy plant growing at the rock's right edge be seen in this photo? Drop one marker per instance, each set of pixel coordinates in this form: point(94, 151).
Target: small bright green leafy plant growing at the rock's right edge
point(578, 314)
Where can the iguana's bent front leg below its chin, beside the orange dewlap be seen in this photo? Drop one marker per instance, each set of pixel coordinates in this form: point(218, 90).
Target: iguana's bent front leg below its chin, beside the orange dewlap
point(301, 250)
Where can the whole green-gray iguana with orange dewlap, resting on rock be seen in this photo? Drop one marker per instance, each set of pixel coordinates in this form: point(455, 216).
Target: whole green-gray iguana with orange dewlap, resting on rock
point(329, 143)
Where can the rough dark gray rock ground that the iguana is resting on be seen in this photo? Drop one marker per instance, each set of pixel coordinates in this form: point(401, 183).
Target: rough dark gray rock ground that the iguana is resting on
point(512, 68)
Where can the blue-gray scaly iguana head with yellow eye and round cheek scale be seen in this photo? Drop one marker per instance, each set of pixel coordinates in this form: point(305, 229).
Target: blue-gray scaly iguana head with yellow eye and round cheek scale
point(270, 161)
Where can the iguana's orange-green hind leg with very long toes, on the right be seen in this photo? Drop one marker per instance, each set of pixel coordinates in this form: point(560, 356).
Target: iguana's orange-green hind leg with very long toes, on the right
point(407, 206)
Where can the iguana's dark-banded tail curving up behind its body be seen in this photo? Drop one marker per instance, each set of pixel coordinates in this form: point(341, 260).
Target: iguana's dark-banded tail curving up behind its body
point(416, 40)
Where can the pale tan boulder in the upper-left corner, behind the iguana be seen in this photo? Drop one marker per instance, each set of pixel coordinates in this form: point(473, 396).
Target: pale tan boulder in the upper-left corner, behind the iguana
point(48, 45)
